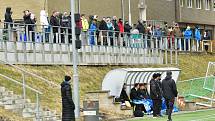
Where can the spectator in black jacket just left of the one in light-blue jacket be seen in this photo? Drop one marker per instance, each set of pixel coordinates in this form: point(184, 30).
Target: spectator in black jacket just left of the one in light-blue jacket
point(103, 27)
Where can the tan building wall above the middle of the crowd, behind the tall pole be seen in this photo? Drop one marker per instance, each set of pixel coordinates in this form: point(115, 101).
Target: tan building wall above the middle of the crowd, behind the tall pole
point(102, 8)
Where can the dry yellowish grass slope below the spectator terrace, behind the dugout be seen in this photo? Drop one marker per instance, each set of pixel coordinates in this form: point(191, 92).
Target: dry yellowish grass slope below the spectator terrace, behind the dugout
point(90, 76)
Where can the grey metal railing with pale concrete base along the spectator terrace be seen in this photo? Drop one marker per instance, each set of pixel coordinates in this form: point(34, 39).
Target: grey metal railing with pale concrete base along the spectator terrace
point(35, 44)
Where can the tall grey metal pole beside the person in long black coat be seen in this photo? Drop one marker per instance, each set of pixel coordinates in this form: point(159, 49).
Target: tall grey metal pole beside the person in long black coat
point(75, 64)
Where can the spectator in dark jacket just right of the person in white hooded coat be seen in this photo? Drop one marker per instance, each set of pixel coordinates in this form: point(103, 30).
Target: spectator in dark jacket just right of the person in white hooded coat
point(55, 24)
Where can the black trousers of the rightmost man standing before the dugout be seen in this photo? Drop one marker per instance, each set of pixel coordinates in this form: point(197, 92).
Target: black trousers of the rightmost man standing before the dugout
point(169, 105)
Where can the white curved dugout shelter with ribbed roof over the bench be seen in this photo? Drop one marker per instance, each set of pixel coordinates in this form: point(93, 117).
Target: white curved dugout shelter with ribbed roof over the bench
point(115, 79)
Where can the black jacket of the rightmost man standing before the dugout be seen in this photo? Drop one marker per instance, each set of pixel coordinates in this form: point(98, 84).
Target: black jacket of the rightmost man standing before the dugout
point(169, 88)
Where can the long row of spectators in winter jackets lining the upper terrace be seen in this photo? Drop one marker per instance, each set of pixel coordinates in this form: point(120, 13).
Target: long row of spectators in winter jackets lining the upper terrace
point(92, 28)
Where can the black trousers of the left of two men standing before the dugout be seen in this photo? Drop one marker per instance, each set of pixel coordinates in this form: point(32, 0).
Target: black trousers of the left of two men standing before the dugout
point(157, 103)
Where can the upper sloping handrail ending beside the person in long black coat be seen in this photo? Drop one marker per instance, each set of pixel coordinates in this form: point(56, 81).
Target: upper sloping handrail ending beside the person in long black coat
point(32, 74)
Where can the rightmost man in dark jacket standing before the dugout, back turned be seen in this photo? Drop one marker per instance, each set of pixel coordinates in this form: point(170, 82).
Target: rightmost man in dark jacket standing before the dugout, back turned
point(169, 92)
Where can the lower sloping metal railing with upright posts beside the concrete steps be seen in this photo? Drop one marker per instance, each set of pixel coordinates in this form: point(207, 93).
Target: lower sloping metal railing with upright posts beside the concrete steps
point(24, 86)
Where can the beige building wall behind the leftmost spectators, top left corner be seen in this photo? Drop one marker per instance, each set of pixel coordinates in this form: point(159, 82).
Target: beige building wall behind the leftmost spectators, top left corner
point(18, 6)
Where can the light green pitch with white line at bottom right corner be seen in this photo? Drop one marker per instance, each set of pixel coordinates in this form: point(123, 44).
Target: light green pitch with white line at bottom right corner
point(207, 115)
